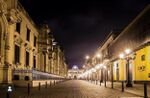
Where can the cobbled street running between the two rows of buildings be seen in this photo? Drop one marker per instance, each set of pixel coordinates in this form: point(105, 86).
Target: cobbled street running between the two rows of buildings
point(74, 89)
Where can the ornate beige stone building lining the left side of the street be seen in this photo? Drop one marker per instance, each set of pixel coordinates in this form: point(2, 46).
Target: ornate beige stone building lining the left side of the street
point(26, 51)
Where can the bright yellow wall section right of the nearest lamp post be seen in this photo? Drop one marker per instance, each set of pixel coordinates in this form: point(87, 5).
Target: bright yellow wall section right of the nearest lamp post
point(142, 68)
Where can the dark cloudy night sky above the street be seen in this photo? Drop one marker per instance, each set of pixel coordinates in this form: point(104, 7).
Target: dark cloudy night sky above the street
point(81, 26)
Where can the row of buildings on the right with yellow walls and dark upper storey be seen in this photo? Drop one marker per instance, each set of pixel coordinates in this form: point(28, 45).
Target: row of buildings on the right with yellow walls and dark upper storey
point(125, 54)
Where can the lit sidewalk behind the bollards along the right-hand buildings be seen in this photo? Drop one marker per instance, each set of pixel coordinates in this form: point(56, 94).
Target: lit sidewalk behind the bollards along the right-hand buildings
point(137, 89)
